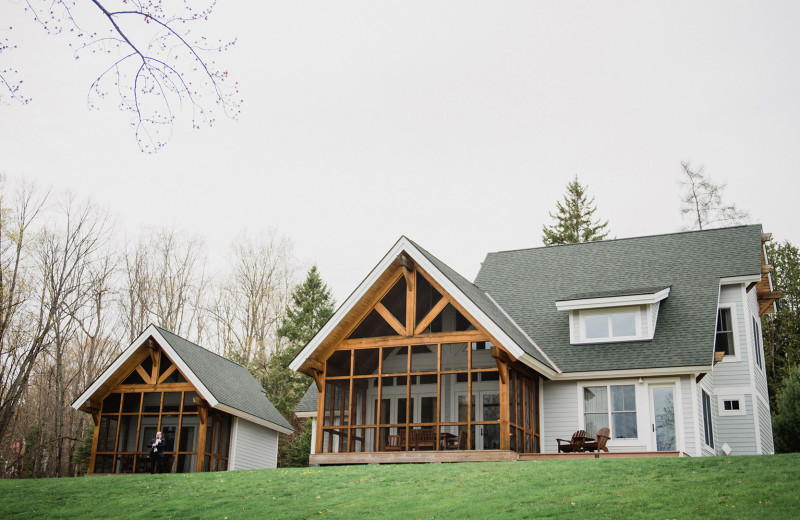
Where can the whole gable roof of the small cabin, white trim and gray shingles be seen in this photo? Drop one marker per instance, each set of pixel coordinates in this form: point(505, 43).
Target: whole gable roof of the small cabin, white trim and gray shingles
point(227, 386)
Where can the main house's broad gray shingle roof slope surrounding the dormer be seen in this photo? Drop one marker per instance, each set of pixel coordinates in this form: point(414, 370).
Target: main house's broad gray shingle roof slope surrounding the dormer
point(528, 282)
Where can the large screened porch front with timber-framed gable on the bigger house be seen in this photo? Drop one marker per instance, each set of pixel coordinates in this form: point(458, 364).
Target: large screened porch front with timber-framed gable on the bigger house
point(366, 369)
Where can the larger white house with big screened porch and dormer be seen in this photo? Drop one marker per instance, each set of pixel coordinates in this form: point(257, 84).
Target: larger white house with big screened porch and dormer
point(656, 338)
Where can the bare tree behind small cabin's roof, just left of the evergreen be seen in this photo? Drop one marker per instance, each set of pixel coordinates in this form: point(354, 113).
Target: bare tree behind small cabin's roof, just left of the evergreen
point(252, 300)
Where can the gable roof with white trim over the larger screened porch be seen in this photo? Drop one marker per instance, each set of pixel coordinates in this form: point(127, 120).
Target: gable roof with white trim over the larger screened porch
point(479, 305)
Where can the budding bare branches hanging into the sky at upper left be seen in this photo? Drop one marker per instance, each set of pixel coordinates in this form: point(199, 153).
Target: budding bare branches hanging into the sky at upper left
point(154, 63)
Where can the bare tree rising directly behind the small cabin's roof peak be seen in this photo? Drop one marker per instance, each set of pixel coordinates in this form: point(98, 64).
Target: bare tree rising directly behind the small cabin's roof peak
point(165, 283)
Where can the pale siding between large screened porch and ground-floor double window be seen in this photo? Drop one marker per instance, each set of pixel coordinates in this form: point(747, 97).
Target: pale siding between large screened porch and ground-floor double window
point(559, 413)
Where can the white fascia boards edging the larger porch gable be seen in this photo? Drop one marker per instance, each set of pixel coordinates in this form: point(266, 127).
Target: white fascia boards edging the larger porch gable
point(449, 287)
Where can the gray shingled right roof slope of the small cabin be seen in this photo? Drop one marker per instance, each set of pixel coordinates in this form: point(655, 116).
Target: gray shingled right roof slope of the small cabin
point(230, 383)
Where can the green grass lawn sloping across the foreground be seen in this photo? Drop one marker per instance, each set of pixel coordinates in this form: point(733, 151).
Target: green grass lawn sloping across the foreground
point(719, 487)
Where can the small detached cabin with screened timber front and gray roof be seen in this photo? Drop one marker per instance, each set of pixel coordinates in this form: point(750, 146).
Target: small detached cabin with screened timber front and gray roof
point(213, 414)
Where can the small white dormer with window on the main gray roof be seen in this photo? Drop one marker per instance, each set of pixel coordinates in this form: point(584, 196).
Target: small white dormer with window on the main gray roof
point(613, 316)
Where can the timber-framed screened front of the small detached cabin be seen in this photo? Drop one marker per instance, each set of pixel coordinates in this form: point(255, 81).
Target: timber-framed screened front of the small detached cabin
point(149, 393)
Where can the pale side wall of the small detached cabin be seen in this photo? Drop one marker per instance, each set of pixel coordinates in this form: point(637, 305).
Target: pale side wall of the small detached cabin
point(253, 446)
